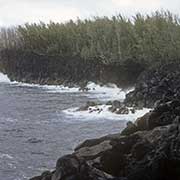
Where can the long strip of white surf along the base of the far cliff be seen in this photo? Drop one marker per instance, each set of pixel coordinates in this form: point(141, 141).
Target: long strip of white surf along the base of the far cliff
point(105, 92)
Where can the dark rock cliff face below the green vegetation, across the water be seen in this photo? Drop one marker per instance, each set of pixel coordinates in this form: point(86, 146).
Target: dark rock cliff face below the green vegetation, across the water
point(30, 67)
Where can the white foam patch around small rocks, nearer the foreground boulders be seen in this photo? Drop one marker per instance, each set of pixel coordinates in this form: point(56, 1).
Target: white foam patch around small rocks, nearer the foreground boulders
point(103, 113)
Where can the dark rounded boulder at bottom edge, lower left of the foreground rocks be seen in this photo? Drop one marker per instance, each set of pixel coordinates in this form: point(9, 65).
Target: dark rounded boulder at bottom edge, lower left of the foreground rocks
point(71, 168)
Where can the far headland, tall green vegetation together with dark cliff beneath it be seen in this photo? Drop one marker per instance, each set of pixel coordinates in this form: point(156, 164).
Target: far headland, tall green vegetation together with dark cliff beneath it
point(77, 50)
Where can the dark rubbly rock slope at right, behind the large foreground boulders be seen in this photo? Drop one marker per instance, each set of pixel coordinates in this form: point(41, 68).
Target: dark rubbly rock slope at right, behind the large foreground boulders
point(161, 83)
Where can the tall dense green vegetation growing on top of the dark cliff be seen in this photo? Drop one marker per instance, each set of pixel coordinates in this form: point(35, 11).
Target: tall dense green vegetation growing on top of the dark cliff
point(142, 39)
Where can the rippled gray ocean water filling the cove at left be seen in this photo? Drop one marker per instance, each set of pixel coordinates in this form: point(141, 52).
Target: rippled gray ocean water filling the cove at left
point(35, 132)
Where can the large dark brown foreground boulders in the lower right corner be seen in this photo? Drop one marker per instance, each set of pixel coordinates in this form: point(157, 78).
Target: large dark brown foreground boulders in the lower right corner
point(148, 149)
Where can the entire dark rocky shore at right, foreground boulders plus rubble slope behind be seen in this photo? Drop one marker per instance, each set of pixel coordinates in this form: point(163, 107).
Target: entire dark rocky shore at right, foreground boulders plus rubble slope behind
point(148, 149)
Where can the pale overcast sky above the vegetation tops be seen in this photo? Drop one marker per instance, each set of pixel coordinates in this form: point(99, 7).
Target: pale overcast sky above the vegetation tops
point(13, 12)
